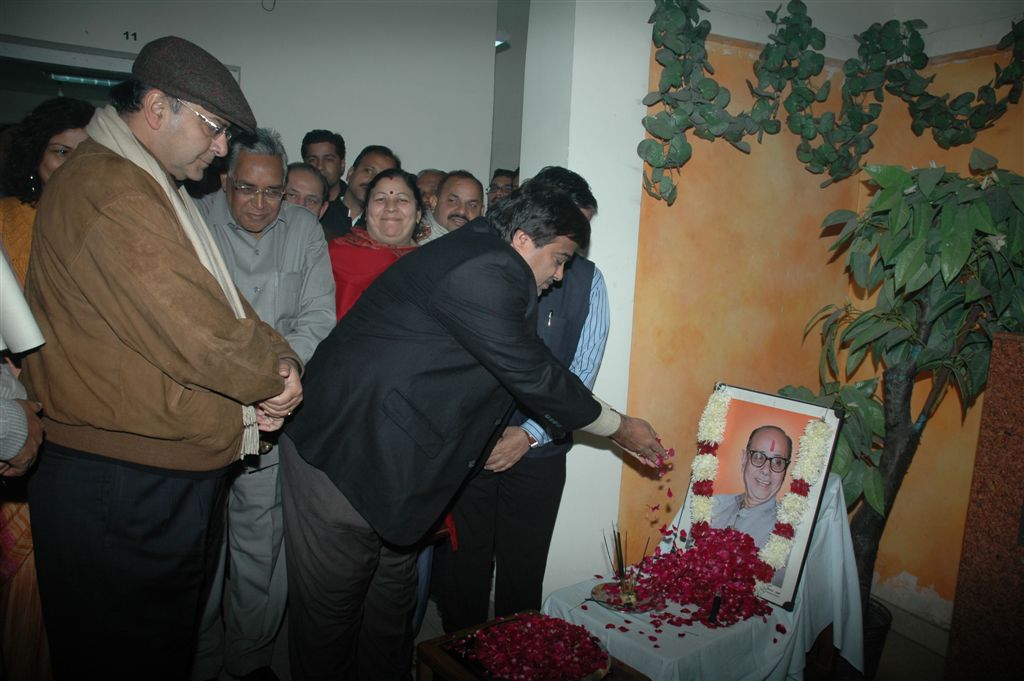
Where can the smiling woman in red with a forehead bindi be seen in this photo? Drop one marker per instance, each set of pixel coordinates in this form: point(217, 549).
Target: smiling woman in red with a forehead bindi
point(393, 216)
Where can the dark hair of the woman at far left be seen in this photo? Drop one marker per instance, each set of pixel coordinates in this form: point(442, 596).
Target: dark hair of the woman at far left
point(29, 141)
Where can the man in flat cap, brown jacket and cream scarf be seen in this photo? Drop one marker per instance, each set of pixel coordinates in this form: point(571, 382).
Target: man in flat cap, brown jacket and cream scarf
point(156, 376)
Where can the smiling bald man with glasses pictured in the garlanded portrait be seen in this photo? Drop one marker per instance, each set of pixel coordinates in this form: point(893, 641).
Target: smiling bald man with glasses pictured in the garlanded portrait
point(764, 463)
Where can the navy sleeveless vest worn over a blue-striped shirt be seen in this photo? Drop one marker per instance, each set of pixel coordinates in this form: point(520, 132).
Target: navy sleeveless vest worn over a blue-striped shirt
point(562, 313)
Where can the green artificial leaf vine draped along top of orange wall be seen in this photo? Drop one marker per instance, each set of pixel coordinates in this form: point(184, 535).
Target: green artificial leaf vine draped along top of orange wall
point(889, 60)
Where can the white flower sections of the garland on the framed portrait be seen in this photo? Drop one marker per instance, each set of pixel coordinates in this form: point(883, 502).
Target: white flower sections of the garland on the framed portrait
point(810, 458)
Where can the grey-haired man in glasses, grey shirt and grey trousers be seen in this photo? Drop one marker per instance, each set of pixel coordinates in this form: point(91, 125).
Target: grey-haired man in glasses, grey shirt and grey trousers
point(277, 256)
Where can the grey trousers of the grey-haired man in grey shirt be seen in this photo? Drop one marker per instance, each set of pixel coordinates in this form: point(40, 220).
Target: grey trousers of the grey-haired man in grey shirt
point(246, 607)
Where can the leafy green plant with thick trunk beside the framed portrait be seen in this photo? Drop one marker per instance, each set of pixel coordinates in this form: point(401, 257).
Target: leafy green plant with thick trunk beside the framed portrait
point(945, 256)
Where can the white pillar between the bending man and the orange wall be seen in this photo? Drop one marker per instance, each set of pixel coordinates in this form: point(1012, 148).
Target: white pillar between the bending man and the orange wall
point(587, 68)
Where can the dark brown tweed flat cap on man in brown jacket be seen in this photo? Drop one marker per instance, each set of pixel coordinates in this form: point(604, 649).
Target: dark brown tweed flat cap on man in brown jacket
point(187, 71)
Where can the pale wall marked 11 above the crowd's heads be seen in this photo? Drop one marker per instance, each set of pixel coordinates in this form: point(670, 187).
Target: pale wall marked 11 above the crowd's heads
point(415, 76)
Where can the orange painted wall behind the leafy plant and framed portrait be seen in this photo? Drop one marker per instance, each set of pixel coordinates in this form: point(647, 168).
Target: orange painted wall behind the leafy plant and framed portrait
point(729, 277)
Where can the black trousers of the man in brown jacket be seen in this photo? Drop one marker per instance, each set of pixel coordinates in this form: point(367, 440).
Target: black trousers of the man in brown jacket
point(124, 557)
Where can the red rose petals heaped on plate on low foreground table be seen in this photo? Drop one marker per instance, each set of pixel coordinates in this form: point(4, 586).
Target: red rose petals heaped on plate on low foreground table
point(535, 648)
